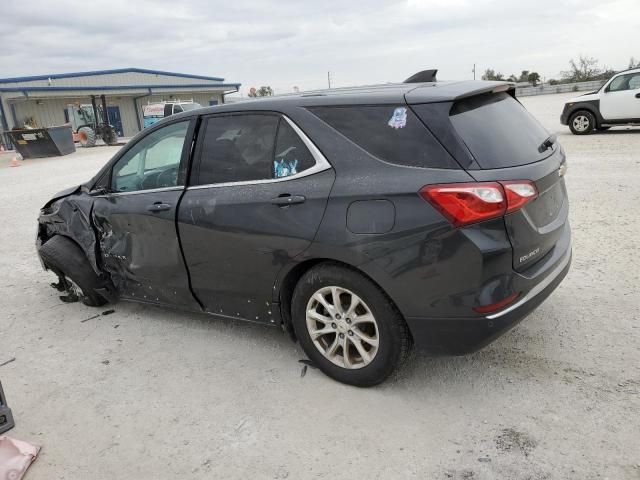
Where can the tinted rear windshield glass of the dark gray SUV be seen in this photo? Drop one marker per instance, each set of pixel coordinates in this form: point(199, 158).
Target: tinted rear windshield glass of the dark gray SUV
point(498, 130)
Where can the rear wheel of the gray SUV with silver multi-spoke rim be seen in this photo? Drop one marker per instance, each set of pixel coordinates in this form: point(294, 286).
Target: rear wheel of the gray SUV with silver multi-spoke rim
point(342, 327)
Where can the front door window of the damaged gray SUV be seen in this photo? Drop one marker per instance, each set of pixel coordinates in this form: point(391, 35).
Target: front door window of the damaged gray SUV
point(153, 162)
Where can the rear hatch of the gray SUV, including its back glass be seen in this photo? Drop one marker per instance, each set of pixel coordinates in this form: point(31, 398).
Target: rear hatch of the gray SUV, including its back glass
point(504, 142)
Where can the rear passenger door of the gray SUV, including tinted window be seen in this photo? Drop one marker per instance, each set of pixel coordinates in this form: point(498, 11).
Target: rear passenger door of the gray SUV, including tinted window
point(256, 198)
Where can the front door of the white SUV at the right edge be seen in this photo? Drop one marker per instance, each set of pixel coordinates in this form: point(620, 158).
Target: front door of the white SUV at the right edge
point(621, 98)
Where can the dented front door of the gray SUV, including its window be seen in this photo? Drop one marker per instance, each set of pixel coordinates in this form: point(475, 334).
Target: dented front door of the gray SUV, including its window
point(135, 220)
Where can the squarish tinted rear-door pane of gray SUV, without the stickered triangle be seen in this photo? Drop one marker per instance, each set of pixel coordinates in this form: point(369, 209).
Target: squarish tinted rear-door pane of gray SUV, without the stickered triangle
point(237, 148)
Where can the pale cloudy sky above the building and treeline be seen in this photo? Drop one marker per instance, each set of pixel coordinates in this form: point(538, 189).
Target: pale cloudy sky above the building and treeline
point(287, 44)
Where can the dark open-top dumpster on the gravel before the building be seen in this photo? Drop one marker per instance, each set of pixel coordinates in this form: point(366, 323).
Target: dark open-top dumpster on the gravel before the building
point(43, 142)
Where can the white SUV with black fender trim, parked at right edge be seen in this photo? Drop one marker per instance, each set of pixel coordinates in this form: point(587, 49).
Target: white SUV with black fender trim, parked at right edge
point(616, 103)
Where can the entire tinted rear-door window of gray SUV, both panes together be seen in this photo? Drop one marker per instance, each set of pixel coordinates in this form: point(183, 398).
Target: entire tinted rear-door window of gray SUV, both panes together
point(239, 148)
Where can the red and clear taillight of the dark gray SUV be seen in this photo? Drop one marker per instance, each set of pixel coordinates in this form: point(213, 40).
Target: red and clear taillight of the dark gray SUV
point(467, 203)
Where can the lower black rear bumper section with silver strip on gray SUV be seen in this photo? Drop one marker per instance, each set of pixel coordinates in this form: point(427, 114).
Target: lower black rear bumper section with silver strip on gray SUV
point(457, 336)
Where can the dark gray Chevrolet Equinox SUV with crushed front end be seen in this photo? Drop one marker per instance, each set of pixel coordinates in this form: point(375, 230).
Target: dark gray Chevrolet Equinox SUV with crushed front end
point(360, 220)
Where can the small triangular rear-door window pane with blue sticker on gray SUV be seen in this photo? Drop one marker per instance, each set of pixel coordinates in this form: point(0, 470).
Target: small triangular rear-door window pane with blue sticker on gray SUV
point(291, 156)
